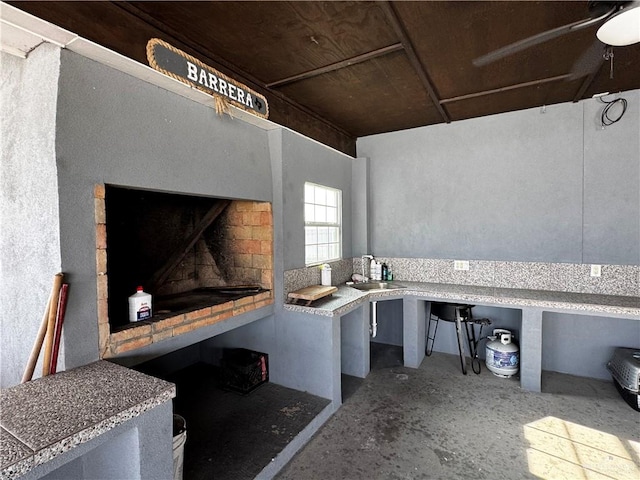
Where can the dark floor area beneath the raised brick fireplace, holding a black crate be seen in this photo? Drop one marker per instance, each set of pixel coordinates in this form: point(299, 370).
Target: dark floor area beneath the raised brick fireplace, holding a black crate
point(232, 436)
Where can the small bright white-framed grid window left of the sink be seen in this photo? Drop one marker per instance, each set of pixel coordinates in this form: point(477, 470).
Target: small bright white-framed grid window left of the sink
point(322, 219)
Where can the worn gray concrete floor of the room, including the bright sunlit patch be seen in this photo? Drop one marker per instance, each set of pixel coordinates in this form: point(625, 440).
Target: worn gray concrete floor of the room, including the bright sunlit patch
point(435, 423)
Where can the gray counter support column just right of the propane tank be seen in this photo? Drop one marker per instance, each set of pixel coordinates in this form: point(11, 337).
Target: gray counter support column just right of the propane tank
point(531, 349)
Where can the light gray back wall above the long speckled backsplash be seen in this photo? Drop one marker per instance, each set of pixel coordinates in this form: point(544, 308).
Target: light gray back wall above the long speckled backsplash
point(520, 186)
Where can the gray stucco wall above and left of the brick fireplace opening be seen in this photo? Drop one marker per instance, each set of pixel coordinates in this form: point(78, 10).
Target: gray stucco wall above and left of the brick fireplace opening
point(115, 129)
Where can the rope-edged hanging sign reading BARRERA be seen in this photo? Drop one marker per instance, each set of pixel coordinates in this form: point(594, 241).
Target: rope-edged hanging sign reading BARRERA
point(183, 67)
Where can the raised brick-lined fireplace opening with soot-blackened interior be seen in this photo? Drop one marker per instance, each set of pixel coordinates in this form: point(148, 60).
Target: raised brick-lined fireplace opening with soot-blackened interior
point(203, 260)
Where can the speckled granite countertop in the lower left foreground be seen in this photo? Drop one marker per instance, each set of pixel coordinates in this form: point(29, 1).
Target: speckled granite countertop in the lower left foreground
point(48, 416)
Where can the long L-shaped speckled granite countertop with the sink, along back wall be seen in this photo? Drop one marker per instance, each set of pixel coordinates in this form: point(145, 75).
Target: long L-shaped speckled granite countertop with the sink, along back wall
point(348, 298)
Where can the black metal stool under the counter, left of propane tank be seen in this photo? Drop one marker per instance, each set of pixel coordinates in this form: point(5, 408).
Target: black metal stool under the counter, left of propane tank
point(459, 314)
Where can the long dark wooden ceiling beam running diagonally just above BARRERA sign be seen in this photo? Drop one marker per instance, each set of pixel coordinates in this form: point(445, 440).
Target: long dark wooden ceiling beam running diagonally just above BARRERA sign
point(235, 71)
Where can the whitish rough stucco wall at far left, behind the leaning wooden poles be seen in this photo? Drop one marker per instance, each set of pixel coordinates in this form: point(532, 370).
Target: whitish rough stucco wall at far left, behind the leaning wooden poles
point(29, 227)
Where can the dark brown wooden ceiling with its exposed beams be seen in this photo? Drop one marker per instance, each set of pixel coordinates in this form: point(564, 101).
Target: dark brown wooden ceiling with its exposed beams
point(336, 71)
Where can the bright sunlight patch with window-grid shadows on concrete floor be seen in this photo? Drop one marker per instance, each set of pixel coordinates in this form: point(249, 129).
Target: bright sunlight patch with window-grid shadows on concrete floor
point(563, 450)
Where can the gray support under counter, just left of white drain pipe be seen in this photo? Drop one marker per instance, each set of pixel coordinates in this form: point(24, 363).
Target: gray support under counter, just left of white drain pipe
point(354, 342)
